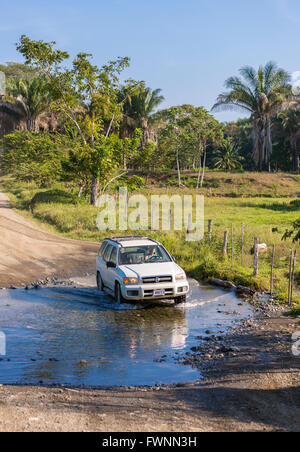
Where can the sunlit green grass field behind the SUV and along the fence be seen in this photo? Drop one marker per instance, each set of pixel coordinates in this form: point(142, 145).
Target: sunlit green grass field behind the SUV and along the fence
point(264, 217)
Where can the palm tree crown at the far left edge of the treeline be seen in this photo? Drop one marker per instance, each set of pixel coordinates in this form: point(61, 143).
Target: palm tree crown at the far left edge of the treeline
point(26, 100)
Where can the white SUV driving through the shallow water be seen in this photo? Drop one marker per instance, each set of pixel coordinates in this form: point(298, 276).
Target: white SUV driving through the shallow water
point(136, 268)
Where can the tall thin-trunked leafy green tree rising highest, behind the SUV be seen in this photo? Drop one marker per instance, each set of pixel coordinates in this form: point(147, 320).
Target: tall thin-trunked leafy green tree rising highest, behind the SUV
point(85, 95)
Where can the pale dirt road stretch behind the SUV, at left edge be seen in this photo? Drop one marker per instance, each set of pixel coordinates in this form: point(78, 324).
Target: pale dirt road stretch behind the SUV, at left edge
point(28, 253)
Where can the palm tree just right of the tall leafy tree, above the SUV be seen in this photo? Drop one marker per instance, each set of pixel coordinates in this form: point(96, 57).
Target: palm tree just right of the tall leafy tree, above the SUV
point(138, 112)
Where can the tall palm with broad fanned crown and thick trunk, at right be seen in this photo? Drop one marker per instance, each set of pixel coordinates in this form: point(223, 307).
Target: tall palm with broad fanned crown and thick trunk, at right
point(262, 93)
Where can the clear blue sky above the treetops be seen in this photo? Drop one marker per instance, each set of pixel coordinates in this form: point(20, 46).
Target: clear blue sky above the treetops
point(185, 47)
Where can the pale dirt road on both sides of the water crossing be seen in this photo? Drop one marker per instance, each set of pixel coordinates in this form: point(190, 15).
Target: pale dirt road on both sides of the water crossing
point(255, 390)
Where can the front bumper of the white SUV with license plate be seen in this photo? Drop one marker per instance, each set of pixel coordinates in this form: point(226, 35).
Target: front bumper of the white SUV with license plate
point(154, 291)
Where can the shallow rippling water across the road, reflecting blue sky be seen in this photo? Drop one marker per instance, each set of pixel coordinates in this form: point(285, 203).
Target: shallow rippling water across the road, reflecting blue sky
point(78, 336)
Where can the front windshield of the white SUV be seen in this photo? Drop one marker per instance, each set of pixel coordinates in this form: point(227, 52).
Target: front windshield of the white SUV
point(143, 255)
